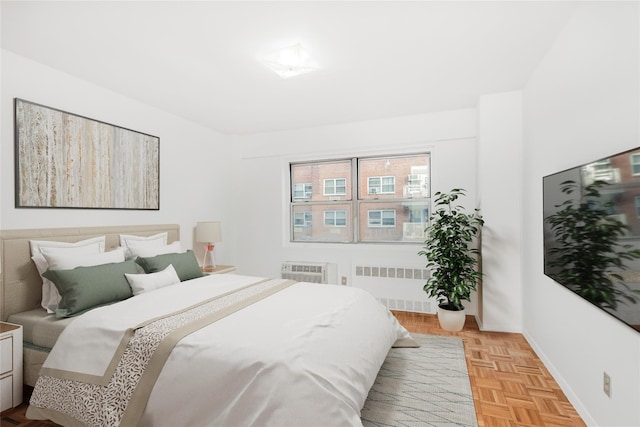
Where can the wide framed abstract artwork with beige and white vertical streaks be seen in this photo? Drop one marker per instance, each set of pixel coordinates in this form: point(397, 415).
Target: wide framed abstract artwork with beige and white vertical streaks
point(63, 160)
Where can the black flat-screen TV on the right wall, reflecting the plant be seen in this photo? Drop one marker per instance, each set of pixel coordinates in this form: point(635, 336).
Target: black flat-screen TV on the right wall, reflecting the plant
point(592, 233)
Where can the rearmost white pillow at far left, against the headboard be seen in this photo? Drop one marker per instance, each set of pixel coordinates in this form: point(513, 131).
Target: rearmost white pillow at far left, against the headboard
point(50, 296)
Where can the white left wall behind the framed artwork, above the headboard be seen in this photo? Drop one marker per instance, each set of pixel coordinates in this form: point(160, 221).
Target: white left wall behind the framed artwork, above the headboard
point(192, 158)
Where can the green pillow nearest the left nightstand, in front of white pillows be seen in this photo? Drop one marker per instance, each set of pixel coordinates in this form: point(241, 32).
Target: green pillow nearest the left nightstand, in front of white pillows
point(83, 288)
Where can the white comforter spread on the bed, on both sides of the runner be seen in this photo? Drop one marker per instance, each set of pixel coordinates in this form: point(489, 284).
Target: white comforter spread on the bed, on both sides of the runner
point(305, 356)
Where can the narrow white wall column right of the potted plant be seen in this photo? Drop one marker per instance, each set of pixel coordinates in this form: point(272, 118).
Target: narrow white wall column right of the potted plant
point(500, 184)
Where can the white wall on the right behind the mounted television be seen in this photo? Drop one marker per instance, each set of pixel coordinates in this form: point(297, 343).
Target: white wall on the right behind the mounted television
point(581, 104)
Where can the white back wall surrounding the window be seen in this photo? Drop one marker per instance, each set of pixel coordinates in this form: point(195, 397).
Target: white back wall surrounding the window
point(262, 214)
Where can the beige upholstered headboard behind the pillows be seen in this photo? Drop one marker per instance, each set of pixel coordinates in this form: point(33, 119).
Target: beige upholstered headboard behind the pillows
point(21, 286)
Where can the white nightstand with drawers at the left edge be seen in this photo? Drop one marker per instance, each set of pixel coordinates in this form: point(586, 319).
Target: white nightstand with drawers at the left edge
point(10, 365)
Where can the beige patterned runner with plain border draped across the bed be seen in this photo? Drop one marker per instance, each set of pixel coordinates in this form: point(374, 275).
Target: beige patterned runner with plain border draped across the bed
point(119, 397)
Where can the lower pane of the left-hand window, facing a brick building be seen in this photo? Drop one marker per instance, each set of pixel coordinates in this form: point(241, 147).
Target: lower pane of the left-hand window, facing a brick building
point(328, 223)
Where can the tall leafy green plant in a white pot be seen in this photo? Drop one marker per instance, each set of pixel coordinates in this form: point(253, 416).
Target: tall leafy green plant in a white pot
point(451, 257)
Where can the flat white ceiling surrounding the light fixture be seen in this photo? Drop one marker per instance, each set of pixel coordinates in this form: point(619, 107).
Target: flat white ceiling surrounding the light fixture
point(198, 60)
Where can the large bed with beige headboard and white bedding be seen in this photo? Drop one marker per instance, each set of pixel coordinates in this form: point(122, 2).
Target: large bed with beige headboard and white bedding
point(223, 350)
